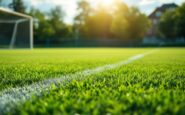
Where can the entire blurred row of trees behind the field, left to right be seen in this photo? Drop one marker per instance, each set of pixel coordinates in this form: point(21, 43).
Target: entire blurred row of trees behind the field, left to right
point(118, 22)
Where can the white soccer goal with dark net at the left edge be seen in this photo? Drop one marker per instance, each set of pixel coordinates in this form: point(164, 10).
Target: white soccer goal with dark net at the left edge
point(16, 30)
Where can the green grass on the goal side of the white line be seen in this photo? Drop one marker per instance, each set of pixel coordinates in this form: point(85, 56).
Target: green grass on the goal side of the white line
point(23, 67)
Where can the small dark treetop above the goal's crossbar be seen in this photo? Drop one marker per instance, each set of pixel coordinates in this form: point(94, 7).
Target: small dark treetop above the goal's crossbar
point(18, 5)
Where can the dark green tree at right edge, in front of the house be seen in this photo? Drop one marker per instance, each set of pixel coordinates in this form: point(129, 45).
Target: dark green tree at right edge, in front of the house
point(172, 23)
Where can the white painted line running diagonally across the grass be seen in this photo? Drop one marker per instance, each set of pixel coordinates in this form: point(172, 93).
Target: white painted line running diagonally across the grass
point(12, 97)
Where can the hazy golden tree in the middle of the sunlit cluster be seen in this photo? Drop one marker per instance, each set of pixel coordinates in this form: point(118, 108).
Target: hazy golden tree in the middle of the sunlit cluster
point(99, 23)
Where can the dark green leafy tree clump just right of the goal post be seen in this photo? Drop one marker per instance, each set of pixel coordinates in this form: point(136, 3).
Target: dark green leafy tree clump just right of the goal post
point(49, 27)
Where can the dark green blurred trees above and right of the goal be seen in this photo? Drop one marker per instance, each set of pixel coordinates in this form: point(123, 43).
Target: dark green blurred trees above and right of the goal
point(49, 27)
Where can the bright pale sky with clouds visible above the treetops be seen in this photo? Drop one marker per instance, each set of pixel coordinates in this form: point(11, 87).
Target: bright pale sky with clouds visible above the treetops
point(70, 6)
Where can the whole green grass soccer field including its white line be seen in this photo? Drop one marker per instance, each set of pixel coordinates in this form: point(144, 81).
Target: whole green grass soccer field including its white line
point(93, 81)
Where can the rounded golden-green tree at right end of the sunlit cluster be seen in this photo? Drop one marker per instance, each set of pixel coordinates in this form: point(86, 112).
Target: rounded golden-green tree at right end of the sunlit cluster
point(129, 23)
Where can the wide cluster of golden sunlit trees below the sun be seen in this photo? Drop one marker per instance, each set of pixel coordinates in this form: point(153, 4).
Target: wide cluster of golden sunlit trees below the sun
point(118, 21)
